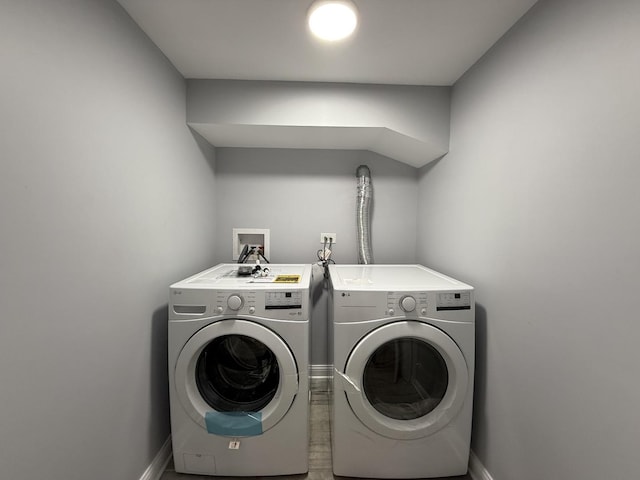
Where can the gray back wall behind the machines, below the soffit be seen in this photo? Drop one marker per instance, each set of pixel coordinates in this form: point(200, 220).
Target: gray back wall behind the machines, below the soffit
point(299, 193)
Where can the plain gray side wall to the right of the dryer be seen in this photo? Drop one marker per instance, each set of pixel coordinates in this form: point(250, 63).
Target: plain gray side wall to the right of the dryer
point(537, 206)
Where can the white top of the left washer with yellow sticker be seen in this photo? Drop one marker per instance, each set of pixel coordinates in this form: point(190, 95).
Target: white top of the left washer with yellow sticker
point(227, 276)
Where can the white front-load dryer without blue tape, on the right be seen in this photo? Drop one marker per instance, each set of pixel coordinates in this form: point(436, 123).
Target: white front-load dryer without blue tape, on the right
point(402, 341)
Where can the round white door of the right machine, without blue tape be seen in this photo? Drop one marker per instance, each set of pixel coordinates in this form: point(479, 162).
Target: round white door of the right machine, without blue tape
point(406, 380)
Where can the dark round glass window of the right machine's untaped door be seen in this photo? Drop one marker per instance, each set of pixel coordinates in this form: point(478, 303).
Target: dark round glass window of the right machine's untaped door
point(405, 378)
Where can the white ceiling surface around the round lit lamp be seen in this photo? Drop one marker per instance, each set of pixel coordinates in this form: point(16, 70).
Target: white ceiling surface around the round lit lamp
point(404, 42)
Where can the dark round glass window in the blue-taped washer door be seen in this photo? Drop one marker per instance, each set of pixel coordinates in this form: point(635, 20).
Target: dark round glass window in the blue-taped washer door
point(237, 373)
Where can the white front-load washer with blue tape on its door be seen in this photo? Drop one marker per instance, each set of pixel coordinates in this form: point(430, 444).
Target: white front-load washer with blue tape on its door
point(238, 371)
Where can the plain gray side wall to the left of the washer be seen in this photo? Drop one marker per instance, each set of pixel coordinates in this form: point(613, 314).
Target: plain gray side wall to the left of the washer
point(105, 199)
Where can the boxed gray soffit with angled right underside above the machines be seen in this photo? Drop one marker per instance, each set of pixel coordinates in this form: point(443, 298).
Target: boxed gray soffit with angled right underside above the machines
point(407, 123)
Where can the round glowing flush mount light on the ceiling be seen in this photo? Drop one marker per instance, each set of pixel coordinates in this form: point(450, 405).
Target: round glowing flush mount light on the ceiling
point(332, 20)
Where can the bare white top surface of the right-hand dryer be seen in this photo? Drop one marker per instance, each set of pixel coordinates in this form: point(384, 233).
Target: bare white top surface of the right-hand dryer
point(391, 277)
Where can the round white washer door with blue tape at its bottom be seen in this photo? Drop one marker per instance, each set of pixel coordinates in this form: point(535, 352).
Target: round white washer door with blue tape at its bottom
point(236, 378)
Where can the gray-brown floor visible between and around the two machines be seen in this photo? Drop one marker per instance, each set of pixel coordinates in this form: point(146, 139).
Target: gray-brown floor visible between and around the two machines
point(319, 446)
